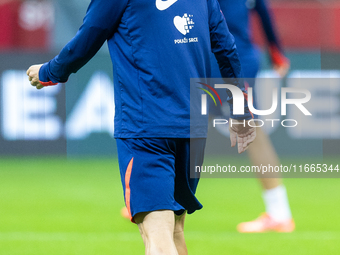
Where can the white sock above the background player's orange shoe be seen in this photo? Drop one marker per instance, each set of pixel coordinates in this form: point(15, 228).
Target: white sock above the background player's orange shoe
point(276, 202)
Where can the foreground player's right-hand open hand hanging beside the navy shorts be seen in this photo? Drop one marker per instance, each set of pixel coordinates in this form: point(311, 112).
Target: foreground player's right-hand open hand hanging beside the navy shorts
point(243, 134)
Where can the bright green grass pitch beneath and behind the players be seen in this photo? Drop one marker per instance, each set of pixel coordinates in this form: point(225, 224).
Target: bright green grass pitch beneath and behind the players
point(63, 207)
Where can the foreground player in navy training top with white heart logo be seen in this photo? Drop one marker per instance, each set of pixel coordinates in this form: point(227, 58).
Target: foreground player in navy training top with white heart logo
point(156, 47)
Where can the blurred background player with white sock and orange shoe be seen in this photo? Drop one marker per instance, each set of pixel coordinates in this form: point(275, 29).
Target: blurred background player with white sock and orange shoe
point(278, 216)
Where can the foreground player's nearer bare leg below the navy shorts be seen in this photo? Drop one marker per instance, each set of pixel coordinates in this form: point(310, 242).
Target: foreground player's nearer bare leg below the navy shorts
point(157, 230)
